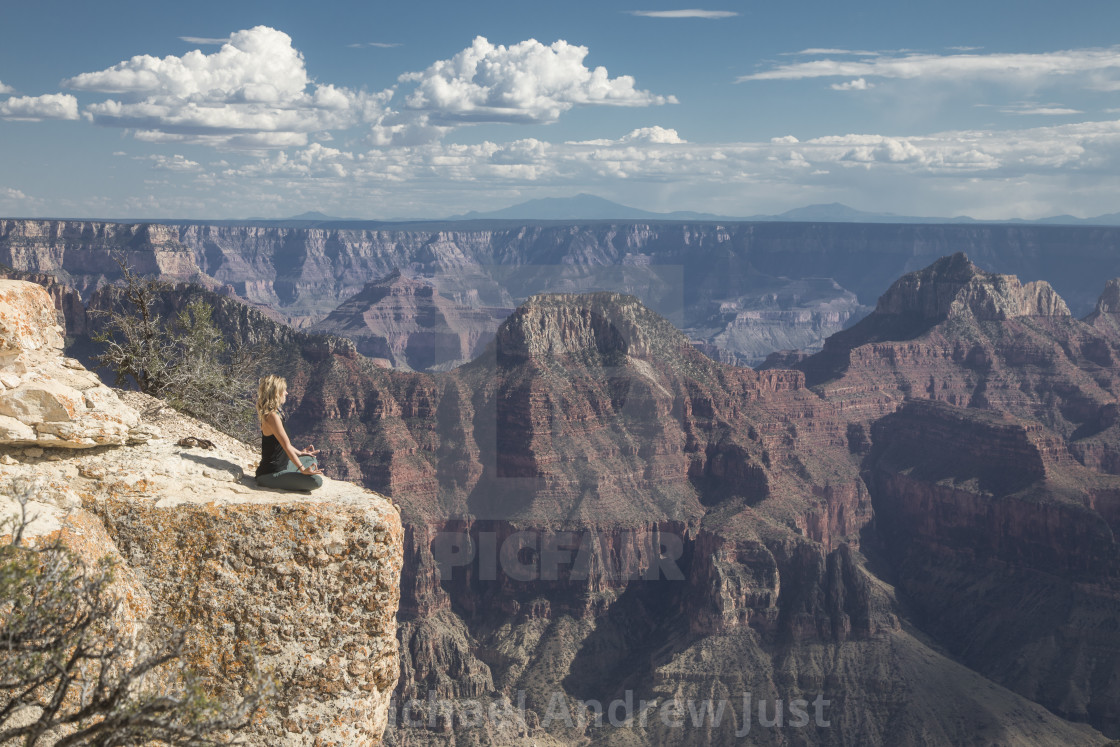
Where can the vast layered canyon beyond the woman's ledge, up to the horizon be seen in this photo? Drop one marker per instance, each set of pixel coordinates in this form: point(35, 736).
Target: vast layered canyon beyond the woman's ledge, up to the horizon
point(917, 524)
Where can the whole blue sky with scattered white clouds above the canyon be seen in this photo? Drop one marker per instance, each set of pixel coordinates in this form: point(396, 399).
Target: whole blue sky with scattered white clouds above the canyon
point(421, 110)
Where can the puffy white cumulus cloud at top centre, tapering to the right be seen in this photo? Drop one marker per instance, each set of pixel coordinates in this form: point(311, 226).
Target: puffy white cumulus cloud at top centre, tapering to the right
point(527, 82)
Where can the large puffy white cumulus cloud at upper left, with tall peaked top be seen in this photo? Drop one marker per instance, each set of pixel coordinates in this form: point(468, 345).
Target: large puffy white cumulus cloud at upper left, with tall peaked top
point(255, 92)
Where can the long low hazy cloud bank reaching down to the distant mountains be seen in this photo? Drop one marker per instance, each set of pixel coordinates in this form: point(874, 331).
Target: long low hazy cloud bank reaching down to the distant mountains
point(986, 174)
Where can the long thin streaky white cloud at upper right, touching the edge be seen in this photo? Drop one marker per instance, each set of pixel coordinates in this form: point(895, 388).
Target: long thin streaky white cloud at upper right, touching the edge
point(1102, 66)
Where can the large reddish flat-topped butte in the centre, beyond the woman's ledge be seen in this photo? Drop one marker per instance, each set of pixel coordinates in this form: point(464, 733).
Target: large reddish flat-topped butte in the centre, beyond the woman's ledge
point(593, 509)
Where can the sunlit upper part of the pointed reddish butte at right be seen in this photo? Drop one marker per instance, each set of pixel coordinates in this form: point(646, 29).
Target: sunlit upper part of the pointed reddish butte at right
point(958, 334)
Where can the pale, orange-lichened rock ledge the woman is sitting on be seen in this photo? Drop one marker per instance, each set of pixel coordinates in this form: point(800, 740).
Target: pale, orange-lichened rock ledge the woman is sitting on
point(309, 582)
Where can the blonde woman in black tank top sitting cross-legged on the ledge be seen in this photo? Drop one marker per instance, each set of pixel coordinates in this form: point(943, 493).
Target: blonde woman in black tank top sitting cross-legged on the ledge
point(282, 465)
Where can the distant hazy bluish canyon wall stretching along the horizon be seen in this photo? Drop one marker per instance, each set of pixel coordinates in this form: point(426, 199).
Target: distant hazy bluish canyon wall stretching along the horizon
point(745, 288)
